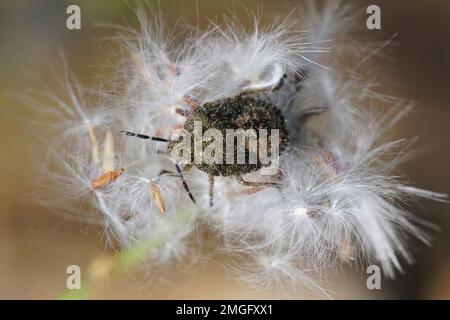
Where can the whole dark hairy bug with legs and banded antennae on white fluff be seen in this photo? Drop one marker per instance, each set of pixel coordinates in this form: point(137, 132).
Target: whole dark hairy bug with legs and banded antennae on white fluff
point(238, 112)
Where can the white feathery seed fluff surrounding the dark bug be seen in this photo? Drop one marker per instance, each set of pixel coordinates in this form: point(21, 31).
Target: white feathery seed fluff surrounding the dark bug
point(338, 200)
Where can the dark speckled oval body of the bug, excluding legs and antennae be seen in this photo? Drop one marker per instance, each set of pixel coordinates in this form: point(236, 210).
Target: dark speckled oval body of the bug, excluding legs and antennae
point(238, 114)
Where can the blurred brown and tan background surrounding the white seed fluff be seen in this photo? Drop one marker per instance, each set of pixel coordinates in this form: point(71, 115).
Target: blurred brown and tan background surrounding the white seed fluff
point(36, 246)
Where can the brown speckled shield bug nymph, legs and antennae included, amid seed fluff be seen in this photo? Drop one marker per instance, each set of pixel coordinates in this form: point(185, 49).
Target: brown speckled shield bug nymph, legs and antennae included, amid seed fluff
point(239, 115)
